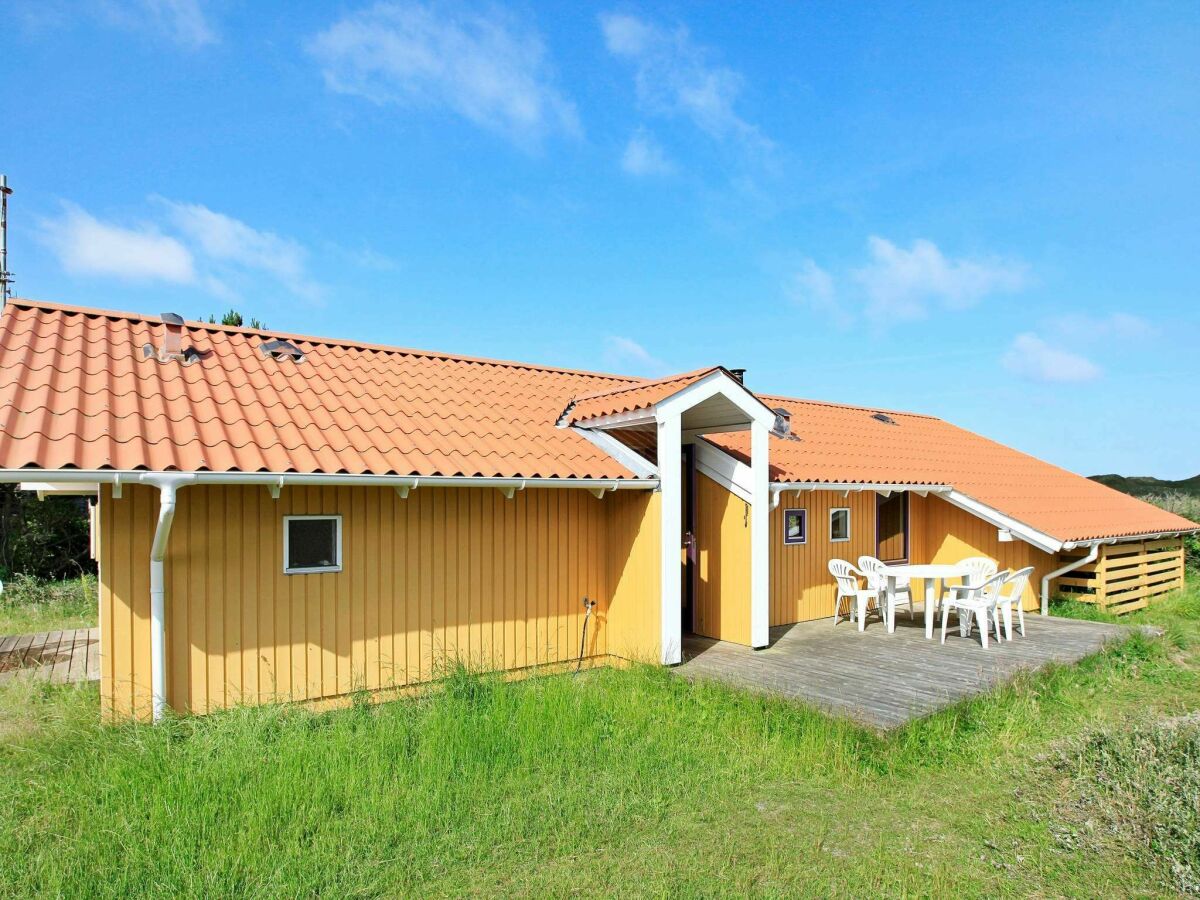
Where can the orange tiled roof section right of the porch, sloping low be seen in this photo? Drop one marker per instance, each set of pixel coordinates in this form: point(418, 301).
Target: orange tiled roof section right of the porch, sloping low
point(833, 443)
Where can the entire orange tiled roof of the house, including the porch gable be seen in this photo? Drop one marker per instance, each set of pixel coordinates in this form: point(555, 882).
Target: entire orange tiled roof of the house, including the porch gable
point(77, 393)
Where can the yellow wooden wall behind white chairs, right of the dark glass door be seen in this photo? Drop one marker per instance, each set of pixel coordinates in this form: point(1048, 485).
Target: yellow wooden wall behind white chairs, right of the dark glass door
point(944, 533)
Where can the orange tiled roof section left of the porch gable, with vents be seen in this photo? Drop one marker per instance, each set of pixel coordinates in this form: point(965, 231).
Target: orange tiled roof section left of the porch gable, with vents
point(77, 393)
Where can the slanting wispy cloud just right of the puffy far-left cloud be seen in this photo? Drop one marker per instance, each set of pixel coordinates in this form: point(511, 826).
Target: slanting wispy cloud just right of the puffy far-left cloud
point(229, 241)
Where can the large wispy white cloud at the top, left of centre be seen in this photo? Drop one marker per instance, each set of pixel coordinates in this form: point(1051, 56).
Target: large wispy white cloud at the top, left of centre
point(485, 67)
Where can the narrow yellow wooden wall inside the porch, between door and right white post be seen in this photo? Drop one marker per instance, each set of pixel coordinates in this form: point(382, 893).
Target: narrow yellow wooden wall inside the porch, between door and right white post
point(723, 563)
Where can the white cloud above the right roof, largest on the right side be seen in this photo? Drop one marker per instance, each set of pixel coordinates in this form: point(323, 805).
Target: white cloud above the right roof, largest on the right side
point(903, 284)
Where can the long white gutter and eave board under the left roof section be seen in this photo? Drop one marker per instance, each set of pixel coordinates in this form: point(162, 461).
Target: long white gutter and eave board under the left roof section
point(283, 479)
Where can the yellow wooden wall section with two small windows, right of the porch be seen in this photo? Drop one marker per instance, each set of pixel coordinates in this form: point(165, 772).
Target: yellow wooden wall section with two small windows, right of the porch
point(801, 585)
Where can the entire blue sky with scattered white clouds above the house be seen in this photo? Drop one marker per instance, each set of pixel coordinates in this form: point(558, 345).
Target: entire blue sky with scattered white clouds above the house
point(989, 213)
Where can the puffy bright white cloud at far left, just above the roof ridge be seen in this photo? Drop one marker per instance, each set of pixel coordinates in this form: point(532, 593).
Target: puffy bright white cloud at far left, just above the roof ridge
point(87, 247)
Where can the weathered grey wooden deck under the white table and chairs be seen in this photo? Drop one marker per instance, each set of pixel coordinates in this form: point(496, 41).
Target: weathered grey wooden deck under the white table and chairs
point(885, 681)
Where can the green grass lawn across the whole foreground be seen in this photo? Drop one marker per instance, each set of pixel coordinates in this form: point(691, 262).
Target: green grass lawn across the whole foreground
point(631, 783)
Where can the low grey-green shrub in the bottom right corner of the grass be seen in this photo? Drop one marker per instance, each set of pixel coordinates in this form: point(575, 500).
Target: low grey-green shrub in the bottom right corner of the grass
point(1138, 789)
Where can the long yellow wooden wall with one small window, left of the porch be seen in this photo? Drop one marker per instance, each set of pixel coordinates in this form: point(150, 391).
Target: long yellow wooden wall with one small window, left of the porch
point(446, 574)
